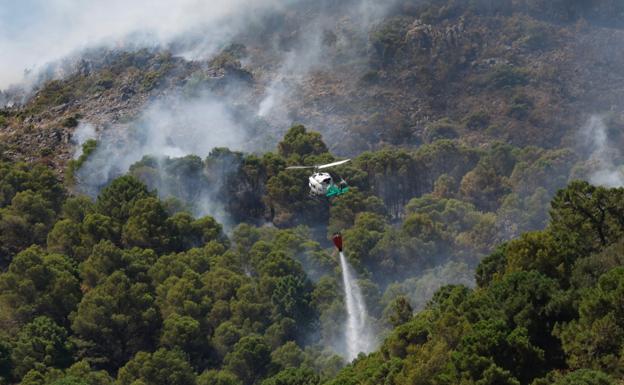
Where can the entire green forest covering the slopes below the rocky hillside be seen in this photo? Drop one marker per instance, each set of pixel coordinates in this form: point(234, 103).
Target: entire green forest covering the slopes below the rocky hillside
point(130, 288)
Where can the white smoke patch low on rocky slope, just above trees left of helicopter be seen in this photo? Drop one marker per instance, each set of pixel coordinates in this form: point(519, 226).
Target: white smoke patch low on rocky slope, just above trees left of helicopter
point(174, 126)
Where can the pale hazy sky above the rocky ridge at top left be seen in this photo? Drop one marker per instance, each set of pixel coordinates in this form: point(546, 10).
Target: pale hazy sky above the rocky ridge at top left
point(36, 32)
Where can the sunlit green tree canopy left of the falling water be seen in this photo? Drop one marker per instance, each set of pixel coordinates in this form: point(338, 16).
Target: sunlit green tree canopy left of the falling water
point(126, 286)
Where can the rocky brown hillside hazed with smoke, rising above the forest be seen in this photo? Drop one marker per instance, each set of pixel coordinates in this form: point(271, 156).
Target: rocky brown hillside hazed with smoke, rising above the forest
point(494, 72)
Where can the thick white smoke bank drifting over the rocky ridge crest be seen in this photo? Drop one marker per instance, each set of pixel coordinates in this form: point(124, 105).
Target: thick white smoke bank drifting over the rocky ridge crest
point(38, 35)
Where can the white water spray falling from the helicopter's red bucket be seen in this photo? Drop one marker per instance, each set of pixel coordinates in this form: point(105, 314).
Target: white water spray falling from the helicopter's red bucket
point(357, 331)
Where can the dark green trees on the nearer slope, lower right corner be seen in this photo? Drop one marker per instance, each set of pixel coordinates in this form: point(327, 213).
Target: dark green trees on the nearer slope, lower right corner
point(545, 310)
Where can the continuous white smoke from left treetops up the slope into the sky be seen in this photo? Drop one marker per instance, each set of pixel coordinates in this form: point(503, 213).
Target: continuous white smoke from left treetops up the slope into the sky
point(45, 39)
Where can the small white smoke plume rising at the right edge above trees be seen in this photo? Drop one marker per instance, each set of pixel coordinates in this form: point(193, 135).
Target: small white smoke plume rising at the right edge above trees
point(606, 171)
